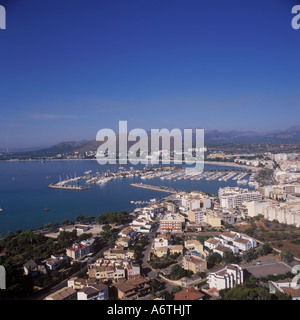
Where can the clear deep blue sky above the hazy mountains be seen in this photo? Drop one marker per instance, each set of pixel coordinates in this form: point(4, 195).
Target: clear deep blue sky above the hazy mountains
point(70, 68)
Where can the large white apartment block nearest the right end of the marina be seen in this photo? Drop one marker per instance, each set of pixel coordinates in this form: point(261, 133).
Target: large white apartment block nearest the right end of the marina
point(233, 197)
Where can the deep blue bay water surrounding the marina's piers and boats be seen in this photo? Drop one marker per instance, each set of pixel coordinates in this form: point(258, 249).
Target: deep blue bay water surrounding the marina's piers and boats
point(24, 192)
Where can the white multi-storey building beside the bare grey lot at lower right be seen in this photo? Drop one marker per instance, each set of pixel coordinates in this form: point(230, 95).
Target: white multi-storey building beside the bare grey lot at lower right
point(226, 277)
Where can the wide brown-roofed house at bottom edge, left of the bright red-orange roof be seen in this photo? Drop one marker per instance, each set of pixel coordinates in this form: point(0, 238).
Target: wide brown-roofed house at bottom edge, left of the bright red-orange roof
point(131, 287)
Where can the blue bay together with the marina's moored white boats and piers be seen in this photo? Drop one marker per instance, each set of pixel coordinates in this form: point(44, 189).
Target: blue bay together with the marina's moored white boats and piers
point(109, 189)
